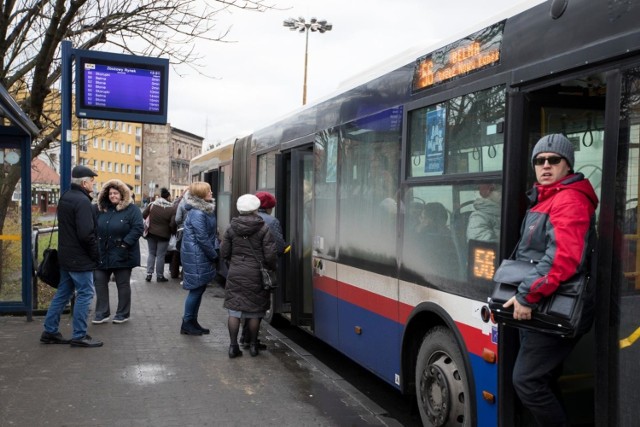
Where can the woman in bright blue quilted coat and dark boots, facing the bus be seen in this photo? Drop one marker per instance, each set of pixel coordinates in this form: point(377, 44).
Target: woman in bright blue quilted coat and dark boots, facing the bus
point(197, 252)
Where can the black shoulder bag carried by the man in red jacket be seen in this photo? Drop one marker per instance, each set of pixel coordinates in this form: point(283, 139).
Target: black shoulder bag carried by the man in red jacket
point(558, 314)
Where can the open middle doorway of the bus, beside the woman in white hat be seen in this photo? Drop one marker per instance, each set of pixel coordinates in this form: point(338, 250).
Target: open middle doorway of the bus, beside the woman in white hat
point(299, 235)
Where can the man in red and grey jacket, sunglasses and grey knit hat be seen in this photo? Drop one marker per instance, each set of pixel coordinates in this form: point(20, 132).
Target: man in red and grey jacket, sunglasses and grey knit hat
point(557, 232)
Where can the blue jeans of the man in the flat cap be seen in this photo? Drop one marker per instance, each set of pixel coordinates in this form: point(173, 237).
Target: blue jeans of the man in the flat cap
point(82, 283)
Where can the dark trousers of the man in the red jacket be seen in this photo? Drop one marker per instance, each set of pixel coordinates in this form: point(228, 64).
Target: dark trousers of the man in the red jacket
point(535, 374)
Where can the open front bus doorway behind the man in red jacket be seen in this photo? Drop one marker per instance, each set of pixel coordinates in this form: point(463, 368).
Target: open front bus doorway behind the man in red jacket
point(575, 107)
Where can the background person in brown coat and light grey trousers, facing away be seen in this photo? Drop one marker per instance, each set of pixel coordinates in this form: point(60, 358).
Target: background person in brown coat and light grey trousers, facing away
point(161, 214)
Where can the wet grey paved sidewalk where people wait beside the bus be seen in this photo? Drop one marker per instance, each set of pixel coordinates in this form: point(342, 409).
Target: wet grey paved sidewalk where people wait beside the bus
point(147, 374)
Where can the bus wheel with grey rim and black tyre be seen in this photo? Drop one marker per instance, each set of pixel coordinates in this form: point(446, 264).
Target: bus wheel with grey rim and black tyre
point(442, 387)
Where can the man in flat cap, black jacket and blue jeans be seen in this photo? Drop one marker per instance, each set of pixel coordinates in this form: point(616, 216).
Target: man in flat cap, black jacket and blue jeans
point(78, 256)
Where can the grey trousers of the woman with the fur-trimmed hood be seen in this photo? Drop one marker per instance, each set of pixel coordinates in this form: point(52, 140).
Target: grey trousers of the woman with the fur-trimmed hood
point(101, 280)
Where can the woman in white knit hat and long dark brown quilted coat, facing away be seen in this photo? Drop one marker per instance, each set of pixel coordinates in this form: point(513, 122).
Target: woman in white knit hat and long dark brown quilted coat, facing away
point(247, 238)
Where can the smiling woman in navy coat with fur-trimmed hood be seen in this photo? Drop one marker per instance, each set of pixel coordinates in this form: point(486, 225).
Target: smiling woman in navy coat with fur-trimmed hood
point(119, 229)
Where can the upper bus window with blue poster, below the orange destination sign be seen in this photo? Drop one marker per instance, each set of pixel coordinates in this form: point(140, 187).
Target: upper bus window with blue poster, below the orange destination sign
point(461, 135)
